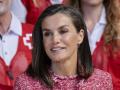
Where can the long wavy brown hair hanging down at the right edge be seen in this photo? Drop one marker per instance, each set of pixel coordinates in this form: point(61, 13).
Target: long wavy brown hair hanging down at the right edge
point(113, 19)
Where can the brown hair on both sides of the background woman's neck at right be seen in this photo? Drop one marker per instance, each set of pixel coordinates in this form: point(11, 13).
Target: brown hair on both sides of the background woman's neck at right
point(112, 8)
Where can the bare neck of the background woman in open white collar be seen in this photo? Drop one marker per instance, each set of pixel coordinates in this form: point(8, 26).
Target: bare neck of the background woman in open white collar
point(91, 15)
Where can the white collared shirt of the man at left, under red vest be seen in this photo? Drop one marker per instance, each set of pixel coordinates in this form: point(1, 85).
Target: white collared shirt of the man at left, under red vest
point(9, 41)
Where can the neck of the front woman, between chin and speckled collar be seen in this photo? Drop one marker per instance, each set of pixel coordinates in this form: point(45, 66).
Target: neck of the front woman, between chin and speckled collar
point(65, 68)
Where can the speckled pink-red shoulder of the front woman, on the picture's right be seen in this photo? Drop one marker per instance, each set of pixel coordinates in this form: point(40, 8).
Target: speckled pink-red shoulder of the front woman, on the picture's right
point(99, 80)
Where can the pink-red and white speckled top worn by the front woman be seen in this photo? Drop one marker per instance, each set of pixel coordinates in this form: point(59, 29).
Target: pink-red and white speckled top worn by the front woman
point(99, 80)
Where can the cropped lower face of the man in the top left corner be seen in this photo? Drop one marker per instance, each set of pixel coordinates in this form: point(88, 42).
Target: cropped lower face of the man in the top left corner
point(5, 6)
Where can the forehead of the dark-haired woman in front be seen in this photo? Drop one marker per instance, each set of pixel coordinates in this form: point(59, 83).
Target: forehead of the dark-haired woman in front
point(57, 20)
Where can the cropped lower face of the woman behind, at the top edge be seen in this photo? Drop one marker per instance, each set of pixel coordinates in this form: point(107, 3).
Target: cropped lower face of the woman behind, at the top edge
point(92, 2)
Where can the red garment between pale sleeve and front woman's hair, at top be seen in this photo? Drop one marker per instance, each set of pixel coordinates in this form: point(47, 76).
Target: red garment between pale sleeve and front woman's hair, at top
point(34, 12)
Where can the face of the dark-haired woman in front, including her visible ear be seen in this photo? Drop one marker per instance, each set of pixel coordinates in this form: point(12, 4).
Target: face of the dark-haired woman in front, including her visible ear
point(60, 38)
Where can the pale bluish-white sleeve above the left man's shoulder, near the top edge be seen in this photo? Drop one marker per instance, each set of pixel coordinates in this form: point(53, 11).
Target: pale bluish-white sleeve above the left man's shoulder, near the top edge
point(19, 10)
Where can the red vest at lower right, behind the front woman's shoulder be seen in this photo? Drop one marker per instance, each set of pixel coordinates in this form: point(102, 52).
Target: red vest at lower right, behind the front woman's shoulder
point(107, 58)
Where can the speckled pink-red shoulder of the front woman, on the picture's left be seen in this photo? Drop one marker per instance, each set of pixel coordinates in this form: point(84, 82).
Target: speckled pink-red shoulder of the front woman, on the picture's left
point(25, 82)
